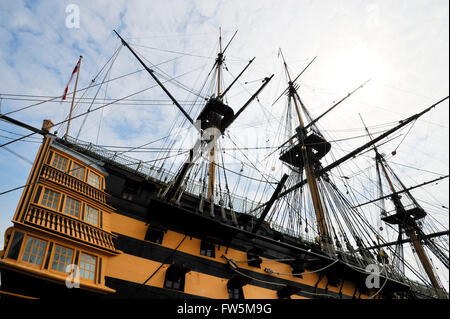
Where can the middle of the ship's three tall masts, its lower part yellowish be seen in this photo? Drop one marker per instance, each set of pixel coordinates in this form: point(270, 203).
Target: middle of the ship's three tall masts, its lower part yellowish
point(306, 153)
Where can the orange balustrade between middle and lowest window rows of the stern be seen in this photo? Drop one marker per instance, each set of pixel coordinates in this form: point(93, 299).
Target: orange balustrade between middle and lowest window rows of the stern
point(71, 227)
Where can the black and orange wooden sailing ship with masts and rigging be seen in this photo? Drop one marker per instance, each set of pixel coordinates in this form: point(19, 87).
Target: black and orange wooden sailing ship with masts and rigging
point(92, 222)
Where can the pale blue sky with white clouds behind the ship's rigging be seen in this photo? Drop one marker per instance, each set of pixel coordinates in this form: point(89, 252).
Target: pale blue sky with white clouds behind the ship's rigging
point(400, 46)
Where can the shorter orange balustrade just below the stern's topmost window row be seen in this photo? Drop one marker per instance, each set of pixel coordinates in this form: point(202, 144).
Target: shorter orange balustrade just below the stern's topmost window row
point(57, 176)
